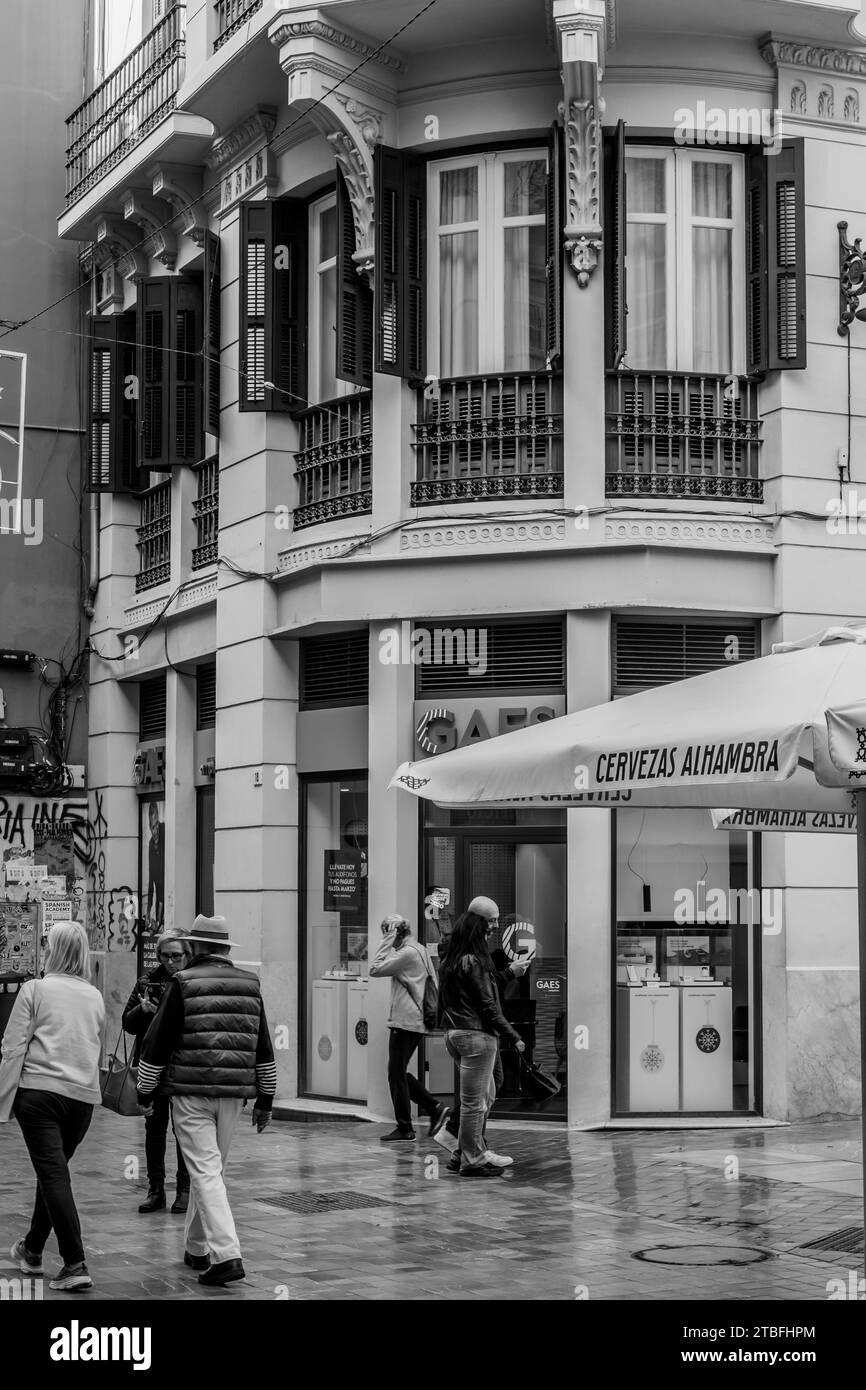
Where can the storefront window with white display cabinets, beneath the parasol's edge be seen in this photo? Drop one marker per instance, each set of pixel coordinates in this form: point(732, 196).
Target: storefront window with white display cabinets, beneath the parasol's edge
point(687, 917)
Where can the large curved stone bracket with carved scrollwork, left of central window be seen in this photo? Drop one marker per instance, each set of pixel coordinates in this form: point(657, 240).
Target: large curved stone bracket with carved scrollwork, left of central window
point(315, 56)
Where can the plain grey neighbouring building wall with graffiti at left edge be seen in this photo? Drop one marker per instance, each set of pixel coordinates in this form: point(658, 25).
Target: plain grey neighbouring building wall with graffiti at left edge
point(47, 858)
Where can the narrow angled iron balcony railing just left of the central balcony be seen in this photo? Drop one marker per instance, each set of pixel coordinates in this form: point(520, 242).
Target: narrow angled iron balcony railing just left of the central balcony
point(334, 466)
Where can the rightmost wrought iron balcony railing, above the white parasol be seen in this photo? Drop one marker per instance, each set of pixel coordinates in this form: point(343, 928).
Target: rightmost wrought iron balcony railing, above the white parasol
point(676, 436)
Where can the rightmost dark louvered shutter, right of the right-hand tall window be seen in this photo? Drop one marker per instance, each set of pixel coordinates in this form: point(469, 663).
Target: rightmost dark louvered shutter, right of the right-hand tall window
point(786, 258)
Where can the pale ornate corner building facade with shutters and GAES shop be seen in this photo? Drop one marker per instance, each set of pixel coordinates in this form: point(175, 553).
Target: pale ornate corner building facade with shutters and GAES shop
point(450, 372)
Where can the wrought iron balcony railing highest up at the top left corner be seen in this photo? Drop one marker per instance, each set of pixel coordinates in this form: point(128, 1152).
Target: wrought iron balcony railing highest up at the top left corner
point(127, 106)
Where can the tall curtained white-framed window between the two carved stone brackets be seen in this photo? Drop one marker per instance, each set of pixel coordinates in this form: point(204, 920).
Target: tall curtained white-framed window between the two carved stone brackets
point(487, 263)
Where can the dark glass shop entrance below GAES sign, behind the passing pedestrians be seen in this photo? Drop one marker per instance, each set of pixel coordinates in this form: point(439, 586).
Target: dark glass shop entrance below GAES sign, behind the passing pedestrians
point(518, 858)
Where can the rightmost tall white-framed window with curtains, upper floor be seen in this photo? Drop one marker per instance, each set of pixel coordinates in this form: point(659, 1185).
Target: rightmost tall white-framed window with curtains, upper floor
point(686, 261)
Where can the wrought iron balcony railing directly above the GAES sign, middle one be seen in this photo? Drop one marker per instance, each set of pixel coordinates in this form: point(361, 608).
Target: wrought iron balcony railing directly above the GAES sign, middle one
point(489, 439)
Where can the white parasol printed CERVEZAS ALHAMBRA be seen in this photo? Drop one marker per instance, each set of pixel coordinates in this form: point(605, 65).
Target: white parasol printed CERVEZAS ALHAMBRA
point(786, 732)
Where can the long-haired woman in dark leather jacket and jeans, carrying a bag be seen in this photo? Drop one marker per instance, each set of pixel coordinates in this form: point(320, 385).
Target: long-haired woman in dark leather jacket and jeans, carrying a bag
point(473, 1018)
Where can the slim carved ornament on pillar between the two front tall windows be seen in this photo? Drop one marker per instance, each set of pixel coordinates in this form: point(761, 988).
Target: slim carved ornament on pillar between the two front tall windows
point(583, 129)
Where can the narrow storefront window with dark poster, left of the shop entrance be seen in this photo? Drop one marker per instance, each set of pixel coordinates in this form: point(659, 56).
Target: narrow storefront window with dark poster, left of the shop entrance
point(334, 904)
